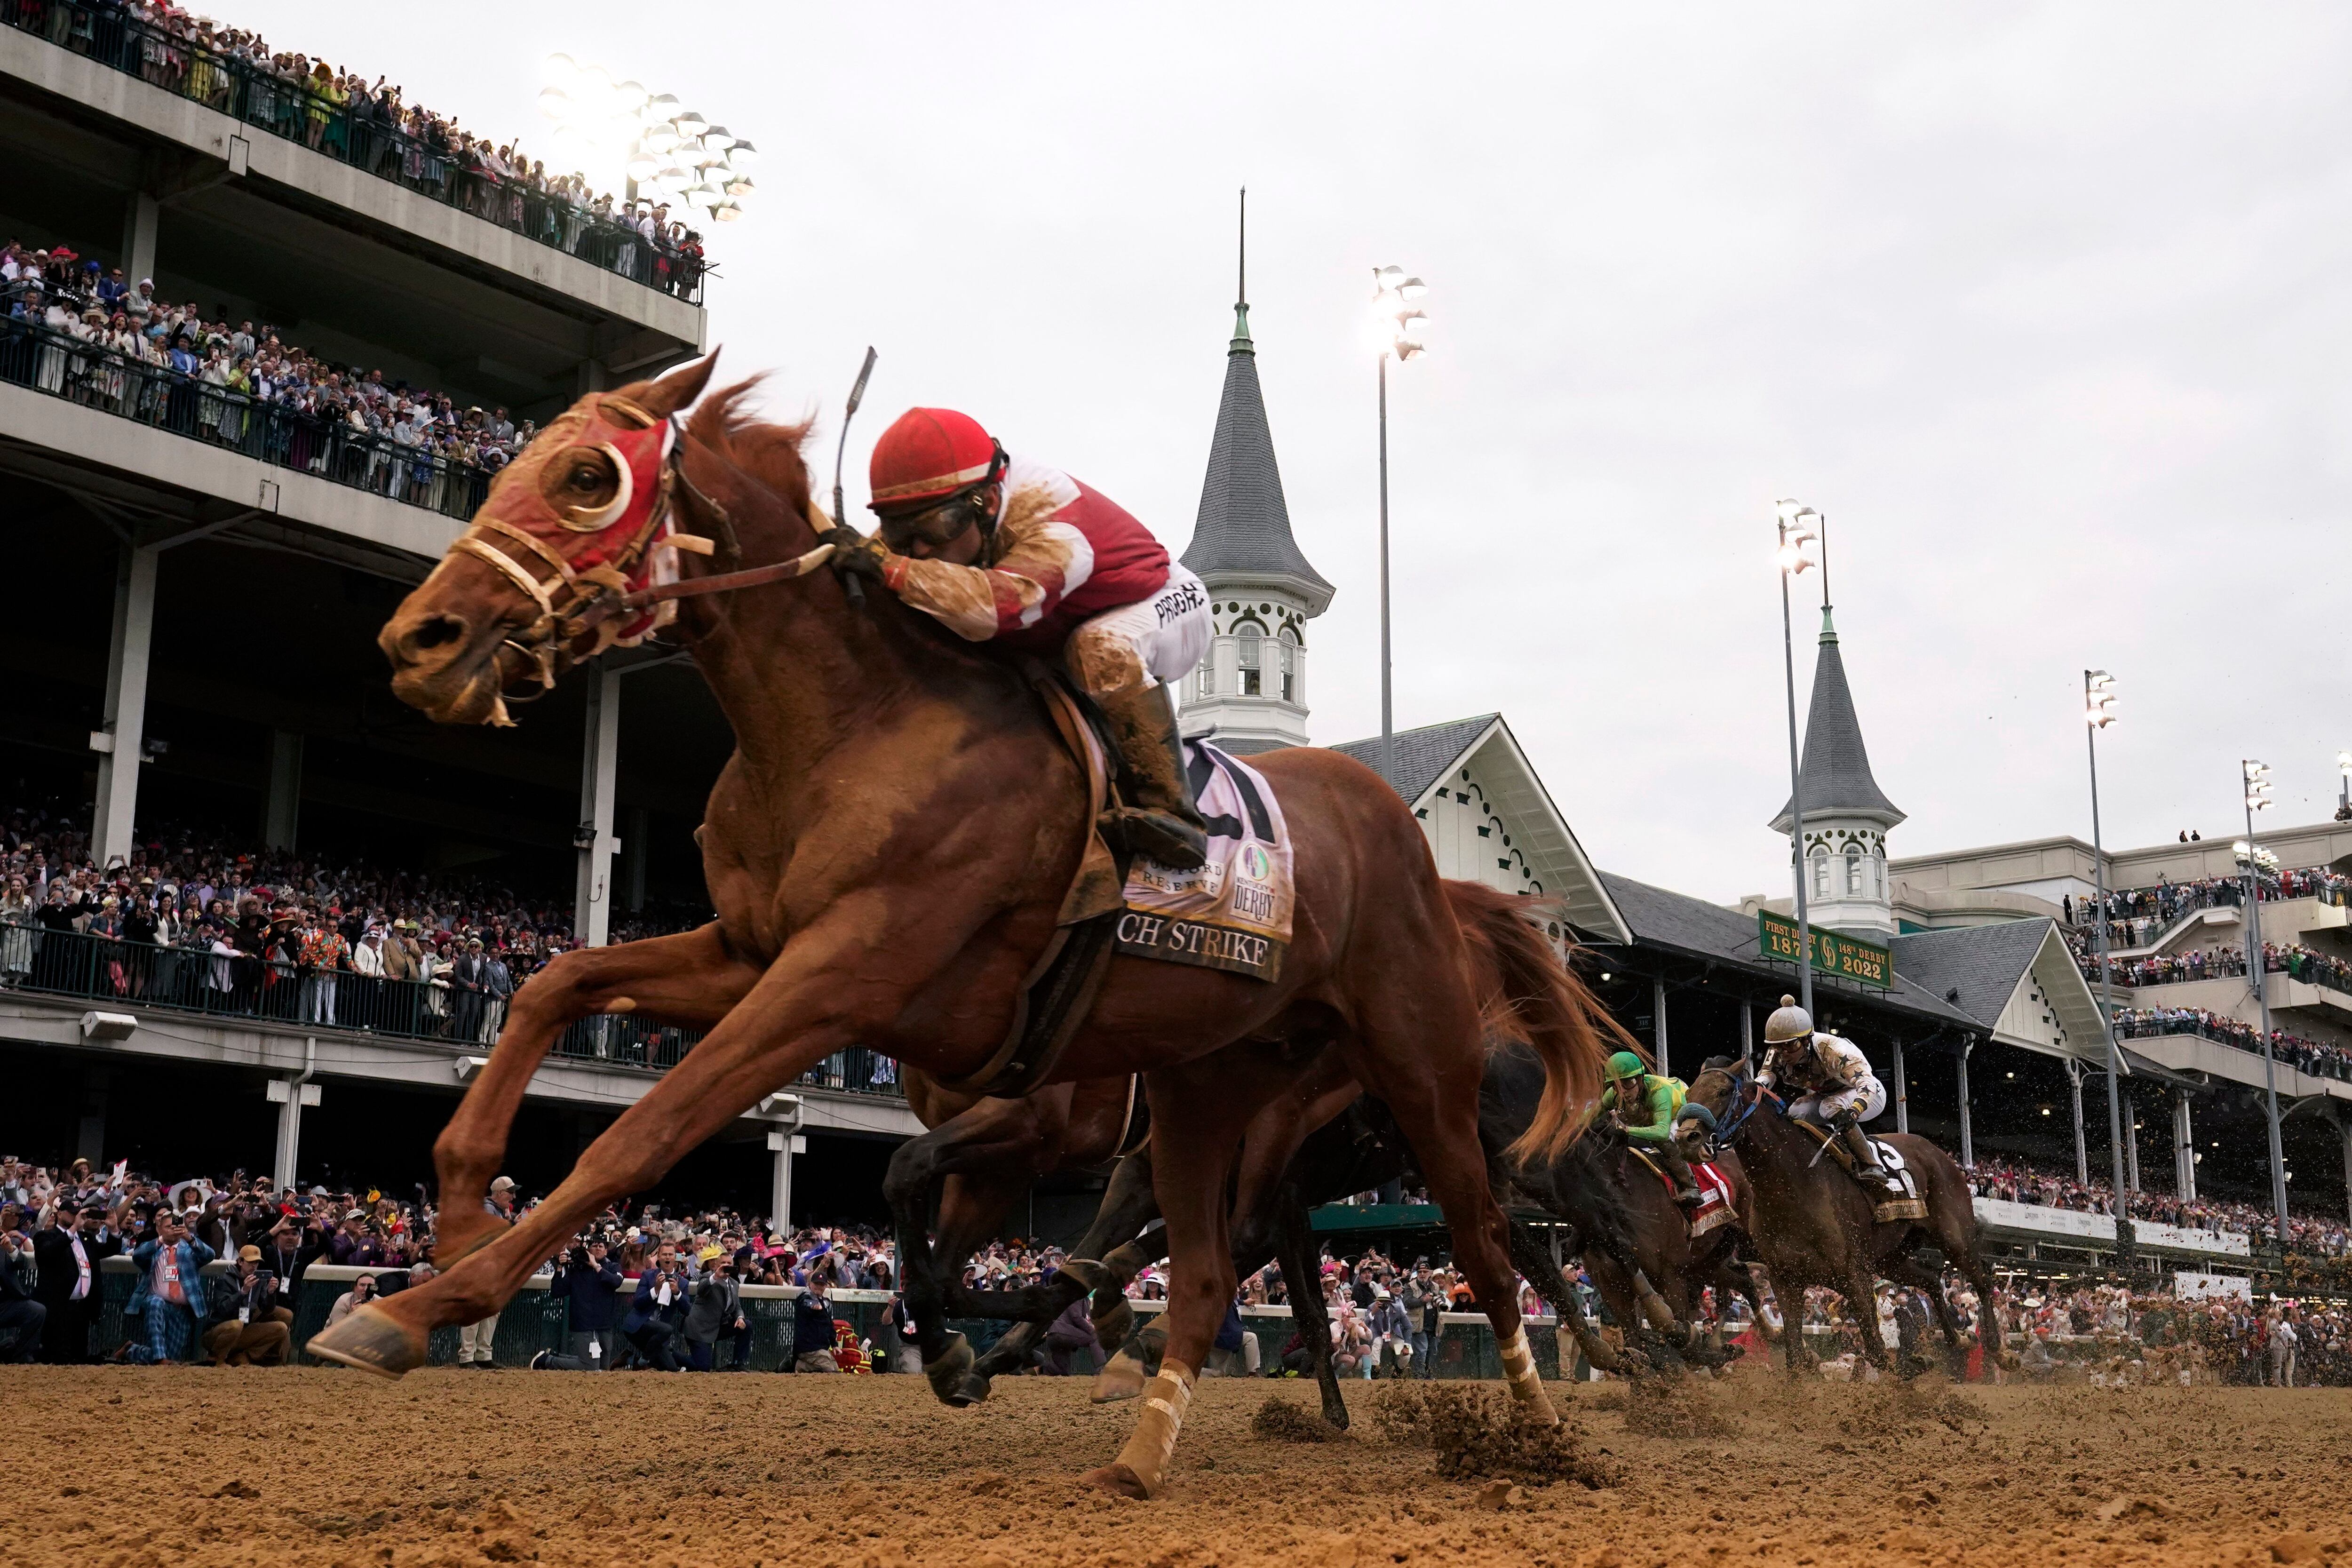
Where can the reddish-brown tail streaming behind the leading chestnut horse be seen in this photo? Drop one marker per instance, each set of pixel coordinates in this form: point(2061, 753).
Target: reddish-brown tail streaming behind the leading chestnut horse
point(1528, 993)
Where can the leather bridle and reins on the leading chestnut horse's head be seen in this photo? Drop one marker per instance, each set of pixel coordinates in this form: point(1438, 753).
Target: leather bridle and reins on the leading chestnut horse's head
point(606, 598)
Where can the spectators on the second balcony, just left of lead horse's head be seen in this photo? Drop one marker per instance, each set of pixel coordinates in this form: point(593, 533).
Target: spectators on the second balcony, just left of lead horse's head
point(83, 333)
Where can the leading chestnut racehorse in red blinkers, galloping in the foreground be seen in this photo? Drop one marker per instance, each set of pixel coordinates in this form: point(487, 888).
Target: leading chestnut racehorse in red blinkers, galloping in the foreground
point(888, 855)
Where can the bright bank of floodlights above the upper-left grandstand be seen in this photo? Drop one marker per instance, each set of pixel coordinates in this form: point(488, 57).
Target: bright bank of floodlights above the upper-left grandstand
point(653, 138)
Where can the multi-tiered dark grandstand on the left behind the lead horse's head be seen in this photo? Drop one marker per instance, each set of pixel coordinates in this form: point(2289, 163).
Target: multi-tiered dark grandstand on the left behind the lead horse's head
point(220, 488)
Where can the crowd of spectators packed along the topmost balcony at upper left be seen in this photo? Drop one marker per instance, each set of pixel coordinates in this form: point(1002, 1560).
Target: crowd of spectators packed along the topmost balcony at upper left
point(373, 128)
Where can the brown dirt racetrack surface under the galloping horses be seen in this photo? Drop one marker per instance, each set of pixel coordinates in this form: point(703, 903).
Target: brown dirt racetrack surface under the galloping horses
point(135, 1468)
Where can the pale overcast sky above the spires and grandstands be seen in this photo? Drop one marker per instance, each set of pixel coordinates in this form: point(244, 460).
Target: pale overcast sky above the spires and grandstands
point(2045, 307)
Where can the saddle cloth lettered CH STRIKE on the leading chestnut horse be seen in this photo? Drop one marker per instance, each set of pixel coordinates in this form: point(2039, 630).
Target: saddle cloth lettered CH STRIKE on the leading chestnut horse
point(1236, 911)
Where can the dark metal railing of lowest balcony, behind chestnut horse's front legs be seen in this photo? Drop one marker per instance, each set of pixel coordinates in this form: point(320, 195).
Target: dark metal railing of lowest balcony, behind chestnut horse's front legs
point(133, 977)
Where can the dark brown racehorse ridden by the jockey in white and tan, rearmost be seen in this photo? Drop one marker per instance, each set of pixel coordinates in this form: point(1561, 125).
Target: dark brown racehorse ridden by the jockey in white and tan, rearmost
point(1815, 1226)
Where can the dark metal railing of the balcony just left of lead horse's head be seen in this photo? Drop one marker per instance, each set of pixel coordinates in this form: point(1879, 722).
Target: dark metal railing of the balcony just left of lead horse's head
point(281, 436)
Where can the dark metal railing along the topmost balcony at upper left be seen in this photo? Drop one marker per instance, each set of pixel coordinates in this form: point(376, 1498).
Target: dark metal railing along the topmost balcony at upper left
point(359, 138)
